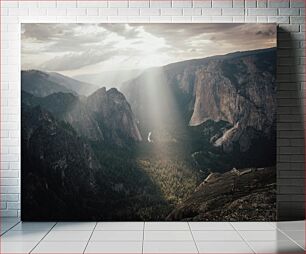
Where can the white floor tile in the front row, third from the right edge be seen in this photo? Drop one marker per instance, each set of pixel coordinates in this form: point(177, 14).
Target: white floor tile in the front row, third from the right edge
point(169, 247)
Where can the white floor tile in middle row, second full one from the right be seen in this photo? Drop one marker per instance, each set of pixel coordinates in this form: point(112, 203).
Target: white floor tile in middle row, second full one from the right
point(216, 236)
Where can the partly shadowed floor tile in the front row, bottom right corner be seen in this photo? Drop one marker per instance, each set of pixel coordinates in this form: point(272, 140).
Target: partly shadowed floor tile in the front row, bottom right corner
point(276, 247)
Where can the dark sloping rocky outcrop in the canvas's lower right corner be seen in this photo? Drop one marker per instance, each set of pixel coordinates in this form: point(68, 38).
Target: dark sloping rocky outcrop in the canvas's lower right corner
point(237, 195)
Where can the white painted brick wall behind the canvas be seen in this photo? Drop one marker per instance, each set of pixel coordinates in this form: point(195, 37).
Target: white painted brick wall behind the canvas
point(290, 14)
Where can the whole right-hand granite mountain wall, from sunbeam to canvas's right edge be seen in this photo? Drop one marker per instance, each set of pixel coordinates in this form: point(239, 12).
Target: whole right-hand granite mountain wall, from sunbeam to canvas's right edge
point(238, 88)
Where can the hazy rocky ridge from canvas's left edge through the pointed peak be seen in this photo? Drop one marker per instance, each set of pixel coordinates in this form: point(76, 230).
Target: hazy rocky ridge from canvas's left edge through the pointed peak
point(103, 116)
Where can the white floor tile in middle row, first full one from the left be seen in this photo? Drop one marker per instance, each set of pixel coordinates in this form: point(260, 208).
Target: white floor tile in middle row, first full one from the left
point(67, 236)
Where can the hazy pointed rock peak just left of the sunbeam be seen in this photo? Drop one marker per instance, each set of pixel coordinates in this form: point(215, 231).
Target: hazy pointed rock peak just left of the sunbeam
point(114, 113)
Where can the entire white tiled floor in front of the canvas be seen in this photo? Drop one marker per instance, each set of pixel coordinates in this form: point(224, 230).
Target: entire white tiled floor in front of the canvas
point(152, 237)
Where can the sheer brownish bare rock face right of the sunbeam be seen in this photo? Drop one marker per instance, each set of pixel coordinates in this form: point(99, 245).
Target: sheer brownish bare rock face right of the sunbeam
point(240, 92)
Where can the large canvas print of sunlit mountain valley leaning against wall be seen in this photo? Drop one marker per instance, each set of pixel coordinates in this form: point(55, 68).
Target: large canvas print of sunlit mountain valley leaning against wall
point(148, 122)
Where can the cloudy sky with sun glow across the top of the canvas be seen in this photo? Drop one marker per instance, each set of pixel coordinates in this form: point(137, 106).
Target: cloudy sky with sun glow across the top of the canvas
point(76, 49)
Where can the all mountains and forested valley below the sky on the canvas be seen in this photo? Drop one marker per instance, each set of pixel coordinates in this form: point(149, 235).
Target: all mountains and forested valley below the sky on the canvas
point(143, 152)
